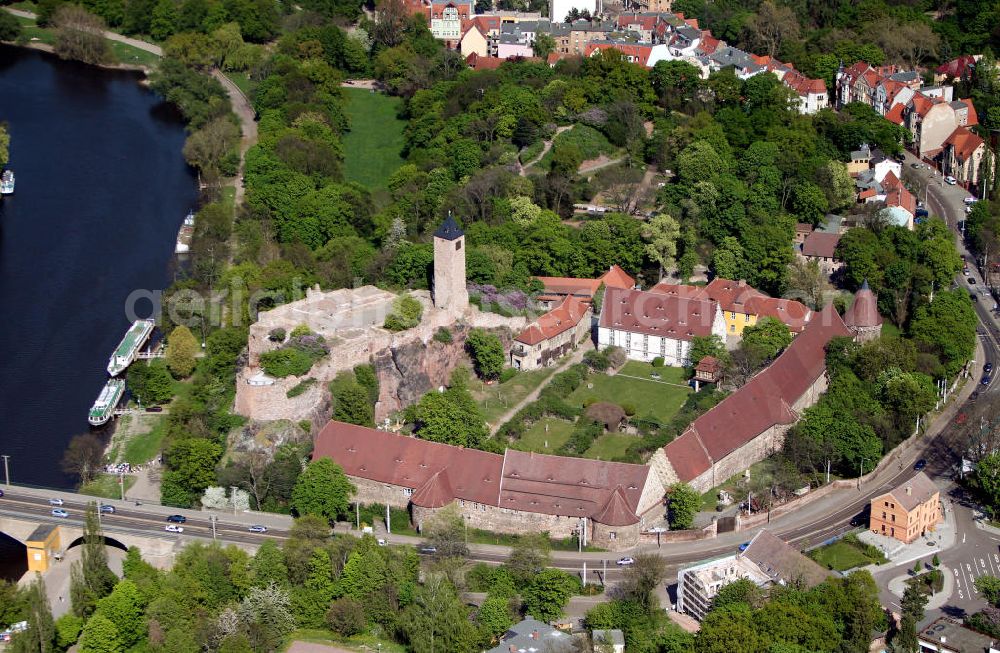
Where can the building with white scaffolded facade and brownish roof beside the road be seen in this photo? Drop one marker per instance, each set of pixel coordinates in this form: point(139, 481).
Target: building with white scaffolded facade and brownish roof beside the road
point(767, 560)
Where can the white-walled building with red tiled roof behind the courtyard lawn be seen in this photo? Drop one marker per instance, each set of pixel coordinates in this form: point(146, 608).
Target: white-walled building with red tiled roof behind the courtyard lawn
point(650, 325)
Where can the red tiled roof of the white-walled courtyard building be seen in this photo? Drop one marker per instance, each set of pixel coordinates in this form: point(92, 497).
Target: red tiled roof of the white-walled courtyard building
point(657, 314)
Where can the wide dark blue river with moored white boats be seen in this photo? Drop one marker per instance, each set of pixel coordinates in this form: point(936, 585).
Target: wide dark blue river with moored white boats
point(102, 188)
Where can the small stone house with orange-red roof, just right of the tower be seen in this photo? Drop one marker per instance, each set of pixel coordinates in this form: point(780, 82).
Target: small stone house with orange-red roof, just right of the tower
point(552, 335)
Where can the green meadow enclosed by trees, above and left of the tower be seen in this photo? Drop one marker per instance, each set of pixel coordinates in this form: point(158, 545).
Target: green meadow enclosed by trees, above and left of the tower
point(372, 147)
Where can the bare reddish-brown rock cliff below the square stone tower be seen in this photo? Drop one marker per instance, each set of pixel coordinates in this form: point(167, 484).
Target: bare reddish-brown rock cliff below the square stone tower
point(408, 371)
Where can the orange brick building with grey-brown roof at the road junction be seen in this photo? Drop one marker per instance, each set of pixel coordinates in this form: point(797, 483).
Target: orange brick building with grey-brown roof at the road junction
point(909, 511)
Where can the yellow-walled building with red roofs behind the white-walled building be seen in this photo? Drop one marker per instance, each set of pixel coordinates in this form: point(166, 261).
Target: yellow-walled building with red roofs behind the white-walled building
point(742, 305)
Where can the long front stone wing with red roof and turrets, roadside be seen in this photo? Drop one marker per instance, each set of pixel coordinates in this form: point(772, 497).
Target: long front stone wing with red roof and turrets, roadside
point(517, 492)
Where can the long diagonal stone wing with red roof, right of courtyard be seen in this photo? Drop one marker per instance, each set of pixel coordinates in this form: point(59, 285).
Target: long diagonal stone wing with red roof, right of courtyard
point(750, 424)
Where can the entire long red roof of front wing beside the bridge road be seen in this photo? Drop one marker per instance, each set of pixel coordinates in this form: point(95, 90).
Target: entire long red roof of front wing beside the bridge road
point(524, 481)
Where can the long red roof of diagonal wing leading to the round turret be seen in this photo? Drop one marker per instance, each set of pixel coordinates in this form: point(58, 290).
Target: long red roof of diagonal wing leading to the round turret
point(763, 402)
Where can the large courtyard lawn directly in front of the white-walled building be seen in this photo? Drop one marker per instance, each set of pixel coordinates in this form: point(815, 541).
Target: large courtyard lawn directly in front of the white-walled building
point(633, 385)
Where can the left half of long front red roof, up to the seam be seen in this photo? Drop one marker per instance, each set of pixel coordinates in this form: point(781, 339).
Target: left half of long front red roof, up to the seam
point(409, 462)
